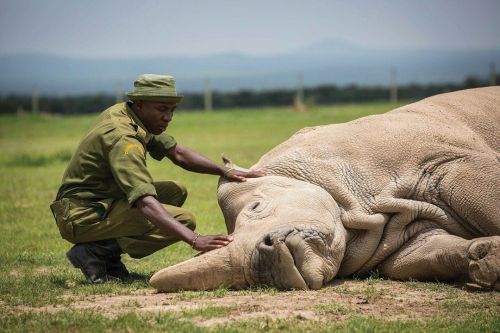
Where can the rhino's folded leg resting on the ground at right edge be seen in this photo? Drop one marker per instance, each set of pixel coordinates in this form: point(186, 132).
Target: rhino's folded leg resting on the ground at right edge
point(438, 255)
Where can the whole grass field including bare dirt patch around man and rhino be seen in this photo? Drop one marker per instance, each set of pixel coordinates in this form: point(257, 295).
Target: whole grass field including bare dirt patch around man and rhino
point(40, 291)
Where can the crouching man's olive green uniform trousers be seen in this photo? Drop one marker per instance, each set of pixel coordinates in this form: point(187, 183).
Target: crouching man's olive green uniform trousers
point(81, 221)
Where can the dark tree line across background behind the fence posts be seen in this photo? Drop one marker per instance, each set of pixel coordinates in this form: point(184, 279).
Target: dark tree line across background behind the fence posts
point(319, 95)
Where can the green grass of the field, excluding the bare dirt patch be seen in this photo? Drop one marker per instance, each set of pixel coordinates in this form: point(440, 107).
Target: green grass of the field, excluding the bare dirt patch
point(35, 273)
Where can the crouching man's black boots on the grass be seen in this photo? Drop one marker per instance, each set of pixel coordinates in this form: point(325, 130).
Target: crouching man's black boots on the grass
point(99, 261)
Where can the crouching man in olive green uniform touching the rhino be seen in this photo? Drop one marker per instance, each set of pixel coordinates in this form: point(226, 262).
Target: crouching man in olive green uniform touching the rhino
point(108, 203)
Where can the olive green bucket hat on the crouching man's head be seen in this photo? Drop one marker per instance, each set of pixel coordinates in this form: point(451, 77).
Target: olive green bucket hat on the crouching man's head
point(155, 88)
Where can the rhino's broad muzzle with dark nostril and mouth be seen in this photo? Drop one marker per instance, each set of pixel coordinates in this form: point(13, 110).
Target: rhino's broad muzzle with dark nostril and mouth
point(296, 259)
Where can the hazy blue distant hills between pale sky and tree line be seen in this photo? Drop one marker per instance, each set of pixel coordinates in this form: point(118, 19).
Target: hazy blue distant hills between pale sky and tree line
point(329, 62)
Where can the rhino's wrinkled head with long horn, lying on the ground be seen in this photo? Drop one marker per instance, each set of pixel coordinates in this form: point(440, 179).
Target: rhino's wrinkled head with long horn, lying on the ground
point(287, 233)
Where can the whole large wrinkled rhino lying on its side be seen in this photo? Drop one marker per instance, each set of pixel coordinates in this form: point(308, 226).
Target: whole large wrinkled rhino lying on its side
point(413, 193)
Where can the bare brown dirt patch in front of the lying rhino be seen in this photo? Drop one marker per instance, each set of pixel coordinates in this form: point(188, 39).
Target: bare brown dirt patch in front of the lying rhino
point(382, 299)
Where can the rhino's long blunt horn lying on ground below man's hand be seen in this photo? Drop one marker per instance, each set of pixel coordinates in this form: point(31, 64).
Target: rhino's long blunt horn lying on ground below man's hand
point(208, 271)
